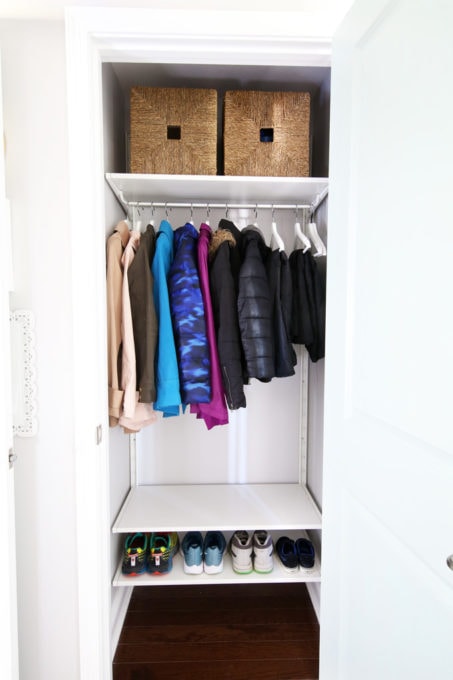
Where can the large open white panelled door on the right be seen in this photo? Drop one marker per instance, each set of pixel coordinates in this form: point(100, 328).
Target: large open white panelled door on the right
point(387, 593)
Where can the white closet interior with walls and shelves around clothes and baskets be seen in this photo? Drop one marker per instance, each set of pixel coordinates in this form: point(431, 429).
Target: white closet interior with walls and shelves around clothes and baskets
point(263, 470)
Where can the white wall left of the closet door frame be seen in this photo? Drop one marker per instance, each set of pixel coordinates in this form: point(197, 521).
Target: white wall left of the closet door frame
point(33, 70)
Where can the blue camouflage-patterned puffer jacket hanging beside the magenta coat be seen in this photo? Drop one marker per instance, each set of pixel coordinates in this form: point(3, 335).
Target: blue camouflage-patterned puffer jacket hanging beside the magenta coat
point(188, 318)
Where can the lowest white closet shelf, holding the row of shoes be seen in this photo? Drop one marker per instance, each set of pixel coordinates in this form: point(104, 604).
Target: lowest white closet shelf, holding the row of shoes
point(177, 576)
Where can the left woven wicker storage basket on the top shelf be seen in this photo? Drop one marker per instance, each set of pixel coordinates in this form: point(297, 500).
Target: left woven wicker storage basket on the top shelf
point(173, 131)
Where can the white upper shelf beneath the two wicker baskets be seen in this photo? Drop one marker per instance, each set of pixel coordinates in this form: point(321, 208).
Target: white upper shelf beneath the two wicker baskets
point(221, 189)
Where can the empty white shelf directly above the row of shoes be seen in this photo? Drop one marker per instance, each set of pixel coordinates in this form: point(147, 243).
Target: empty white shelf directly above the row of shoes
point(226, 507)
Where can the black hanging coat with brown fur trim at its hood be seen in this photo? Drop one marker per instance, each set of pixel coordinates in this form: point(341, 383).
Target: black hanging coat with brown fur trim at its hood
point(224, 264)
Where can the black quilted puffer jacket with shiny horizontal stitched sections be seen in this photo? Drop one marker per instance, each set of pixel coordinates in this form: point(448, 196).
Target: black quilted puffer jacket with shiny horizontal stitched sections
point(254, 307)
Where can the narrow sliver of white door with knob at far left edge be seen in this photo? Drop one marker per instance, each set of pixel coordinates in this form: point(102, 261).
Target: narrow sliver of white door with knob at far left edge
point(8, 636)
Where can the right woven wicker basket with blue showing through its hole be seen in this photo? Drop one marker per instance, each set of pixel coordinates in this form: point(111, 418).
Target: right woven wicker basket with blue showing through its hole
point(267, 133)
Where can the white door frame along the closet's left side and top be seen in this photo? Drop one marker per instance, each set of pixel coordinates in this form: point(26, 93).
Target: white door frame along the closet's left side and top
point(94, 36)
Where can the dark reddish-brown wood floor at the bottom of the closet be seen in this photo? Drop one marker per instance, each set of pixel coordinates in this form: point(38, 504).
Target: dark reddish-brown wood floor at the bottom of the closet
point(210, 632)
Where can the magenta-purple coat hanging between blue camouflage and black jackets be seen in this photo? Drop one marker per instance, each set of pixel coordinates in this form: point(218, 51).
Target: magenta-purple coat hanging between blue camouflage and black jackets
point(215, 411)
